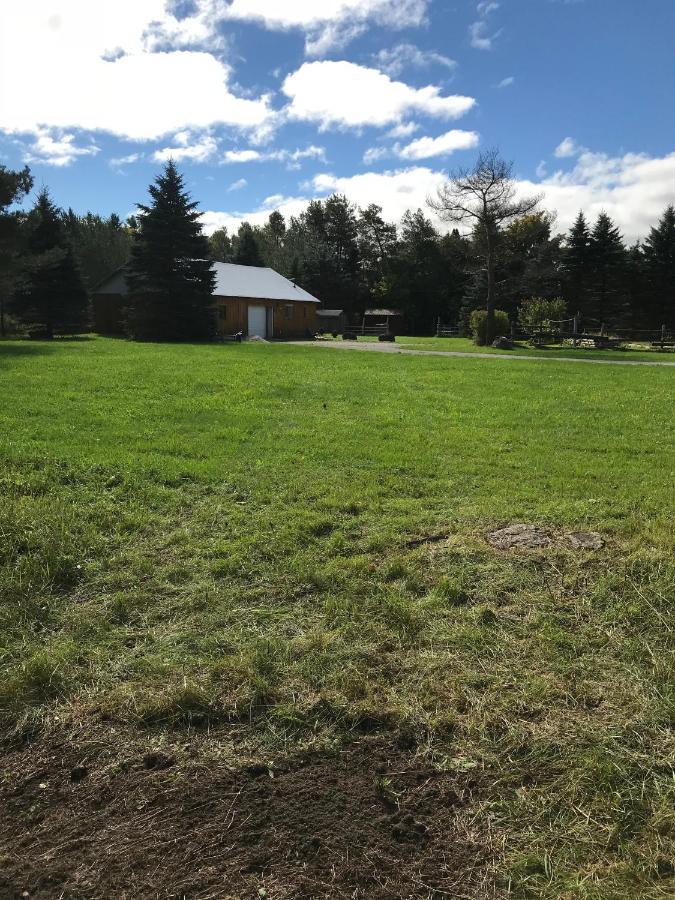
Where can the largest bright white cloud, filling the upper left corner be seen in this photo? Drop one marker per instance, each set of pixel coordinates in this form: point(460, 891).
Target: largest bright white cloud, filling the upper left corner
point(92, 67)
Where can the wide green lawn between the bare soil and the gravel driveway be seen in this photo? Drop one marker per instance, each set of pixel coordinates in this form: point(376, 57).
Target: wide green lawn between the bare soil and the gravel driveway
point(293, 542)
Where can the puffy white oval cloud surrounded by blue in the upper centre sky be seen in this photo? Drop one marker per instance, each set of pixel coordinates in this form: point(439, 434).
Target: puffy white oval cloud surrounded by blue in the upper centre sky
point(346, 95)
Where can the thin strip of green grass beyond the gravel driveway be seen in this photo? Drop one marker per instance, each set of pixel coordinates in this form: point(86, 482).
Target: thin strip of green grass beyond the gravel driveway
point(522, 348)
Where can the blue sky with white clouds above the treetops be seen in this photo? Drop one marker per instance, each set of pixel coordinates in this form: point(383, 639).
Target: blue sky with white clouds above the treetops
point(265, 104)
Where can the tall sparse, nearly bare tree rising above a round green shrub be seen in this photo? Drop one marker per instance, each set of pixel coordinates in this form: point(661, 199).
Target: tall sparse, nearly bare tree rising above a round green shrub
point(484, 196)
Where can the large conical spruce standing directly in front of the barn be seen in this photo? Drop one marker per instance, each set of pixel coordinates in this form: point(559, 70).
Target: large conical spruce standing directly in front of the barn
point(171, 278)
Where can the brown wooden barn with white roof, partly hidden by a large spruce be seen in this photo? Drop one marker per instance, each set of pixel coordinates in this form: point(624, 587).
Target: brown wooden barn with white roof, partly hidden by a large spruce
point(256, 301)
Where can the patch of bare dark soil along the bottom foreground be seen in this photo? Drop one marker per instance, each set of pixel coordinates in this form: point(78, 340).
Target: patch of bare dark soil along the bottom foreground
point(369, 821)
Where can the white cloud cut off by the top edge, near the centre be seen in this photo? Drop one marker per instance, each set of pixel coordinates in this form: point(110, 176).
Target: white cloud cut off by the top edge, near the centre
point(329, 23)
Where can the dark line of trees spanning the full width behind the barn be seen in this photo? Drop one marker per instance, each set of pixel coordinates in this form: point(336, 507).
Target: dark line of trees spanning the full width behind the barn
point(350, 258)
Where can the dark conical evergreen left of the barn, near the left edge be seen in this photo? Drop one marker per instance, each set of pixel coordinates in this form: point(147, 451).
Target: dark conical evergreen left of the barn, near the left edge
point(53, 298)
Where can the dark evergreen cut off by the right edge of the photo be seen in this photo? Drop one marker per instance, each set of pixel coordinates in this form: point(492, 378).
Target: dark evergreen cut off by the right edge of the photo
point(659, 269)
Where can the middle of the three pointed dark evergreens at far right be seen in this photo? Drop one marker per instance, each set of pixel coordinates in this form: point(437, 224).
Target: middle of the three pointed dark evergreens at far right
point(608, 266)
